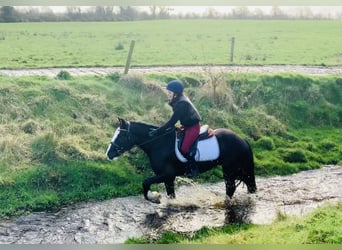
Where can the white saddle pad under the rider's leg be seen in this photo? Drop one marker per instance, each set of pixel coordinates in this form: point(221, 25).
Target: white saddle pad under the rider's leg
point(207, 150)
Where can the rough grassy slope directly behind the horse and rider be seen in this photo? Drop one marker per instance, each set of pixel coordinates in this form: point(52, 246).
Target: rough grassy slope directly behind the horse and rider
point(55, 131)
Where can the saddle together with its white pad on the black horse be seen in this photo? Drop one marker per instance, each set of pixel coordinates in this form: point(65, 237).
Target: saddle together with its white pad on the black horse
point(206, 140)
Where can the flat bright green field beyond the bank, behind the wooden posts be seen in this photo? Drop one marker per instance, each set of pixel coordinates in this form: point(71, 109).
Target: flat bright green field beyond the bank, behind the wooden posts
point(170, 42)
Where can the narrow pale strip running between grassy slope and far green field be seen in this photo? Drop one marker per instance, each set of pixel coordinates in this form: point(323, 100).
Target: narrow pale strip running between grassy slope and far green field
point(310, 70)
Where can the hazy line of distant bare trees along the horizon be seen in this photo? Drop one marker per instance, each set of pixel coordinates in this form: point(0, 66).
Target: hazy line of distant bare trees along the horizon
point(131, 13)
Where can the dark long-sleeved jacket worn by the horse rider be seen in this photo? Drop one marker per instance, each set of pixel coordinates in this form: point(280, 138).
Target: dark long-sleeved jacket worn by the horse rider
point(183, 111)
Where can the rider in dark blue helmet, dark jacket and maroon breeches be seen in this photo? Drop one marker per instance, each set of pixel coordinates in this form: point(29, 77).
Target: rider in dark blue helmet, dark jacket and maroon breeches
point(185, 112)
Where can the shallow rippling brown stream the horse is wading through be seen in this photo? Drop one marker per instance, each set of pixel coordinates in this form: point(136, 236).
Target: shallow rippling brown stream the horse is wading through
point(115, 220)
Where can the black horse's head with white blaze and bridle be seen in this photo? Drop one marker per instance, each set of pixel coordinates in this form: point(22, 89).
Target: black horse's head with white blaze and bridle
point(122, 140)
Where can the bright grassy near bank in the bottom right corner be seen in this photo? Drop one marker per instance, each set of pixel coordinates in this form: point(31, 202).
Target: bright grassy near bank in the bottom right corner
point(320, 227)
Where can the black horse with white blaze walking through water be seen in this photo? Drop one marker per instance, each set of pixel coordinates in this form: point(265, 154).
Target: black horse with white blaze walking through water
point(235, 156)
